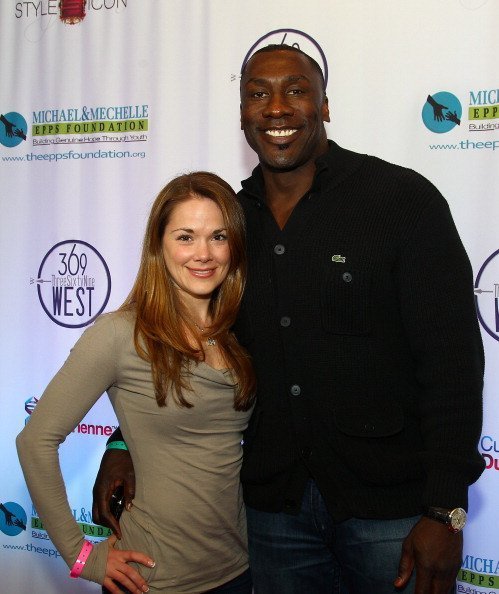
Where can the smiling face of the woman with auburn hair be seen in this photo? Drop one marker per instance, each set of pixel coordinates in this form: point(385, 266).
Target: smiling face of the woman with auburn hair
point(195, 248)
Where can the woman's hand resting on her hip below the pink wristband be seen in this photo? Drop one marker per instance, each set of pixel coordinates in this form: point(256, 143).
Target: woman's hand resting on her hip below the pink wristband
point(118, 570)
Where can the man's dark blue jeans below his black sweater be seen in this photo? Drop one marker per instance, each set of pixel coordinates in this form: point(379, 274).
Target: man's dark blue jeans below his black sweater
point(309, 553)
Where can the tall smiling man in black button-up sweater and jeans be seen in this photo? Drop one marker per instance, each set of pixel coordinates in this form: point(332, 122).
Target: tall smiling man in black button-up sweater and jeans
point(359, 317)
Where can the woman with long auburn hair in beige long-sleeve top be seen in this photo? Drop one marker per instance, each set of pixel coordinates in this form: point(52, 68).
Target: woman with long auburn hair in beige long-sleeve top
point(182, 389)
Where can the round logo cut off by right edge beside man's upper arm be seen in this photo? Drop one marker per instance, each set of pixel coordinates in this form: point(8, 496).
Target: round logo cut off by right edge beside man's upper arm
point(487, 295)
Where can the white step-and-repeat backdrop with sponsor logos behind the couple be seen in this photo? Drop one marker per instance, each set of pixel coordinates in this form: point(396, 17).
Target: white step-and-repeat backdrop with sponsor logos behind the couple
point(103, 101)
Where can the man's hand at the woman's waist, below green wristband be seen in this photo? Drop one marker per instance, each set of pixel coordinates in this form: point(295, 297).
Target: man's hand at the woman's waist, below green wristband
point(116, 469)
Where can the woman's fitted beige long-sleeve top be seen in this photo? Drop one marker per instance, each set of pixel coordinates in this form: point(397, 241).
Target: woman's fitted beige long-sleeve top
point(188, 513)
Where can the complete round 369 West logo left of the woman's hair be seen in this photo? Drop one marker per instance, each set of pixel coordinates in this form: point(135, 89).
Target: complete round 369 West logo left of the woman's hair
point(73, 283)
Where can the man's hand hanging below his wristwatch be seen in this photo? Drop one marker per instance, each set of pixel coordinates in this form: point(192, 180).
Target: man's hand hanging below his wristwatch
point(435, 553)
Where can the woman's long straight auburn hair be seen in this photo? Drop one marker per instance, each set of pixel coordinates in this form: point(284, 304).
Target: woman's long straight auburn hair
point(161, 318)
